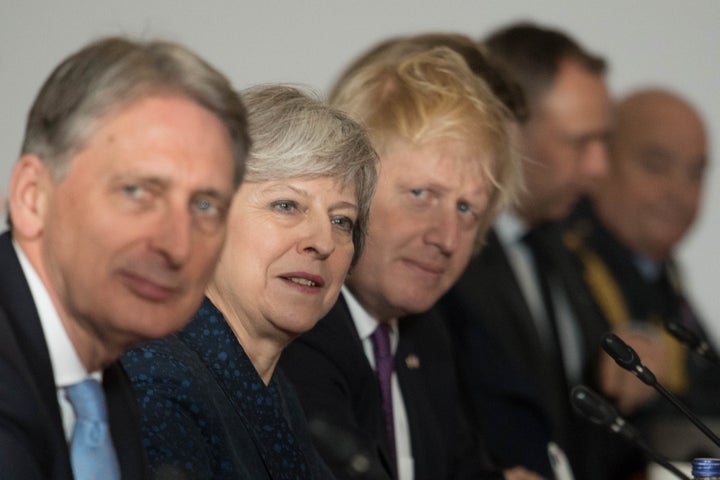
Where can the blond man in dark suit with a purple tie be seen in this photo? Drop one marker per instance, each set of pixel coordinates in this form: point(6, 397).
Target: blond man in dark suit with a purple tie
point(376, 375)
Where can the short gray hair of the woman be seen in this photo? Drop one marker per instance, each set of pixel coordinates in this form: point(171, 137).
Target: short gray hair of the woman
point(297, 135)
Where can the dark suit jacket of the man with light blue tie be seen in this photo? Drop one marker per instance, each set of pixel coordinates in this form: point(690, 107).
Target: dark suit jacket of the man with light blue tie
point(32, 441)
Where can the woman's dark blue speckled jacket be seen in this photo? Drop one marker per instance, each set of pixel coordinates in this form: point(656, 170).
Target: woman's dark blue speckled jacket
point(208, 414)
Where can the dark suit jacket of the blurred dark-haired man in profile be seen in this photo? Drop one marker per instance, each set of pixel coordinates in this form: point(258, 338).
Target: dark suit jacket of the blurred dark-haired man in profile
point(488, 301)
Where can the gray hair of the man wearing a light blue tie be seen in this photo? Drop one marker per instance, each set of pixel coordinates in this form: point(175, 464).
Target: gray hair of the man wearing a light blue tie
point(112, 73)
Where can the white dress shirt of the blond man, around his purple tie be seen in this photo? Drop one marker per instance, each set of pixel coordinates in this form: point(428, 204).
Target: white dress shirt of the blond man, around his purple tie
point(366, 325)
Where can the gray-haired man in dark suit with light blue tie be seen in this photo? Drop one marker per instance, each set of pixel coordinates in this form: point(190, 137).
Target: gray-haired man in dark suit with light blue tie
point(131, 155)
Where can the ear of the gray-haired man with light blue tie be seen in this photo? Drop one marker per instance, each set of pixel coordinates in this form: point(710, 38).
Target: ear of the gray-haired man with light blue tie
point(30, 186)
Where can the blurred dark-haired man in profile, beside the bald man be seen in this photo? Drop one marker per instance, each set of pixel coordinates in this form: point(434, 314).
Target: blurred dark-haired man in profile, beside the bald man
point(521, 291)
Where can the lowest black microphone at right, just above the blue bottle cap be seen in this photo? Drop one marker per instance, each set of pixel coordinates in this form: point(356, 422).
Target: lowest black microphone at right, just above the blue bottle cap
point(598, 411)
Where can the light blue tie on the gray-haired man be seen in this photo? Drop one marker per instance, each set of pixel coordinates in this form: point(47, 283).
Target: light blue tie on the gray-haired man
point(91, 451)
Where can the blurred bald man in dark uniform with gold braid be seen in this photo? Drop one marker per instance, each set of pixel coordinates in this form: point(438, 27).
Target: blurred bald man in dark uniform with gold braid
point(625, 236)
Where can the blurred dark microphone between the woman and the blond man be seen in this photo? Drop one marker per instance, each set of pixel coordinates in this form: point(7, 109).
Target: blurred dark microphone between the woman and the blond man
point(340, 449)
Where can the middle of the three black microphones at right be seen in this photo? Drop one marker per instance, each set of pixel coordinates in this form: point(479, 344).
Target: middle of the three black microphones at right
point(627, 358)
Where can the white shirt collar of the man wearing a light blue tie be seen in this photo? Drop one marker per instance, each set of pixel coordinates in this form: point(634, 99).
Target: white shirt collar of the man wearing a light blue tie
point(66, 364)
